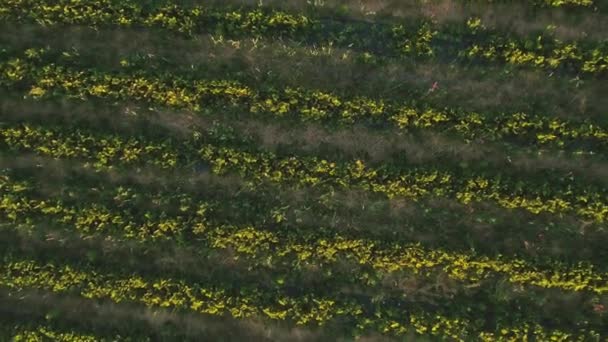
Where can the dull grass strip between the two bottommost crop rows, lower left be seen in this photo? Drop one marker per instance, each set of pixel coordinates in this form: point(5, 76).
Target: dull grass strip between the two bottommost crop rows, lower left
point(124, 318)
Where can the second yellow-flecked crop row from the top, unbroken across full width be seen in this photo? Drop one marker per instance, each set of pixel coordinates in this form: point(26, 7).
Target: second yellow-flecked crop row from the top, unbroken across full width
point(305, 105)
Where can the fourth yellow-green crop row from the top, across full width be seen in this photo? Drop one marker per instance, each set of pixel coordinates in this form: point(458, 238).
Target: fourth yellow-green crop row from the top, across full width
point(194, 223)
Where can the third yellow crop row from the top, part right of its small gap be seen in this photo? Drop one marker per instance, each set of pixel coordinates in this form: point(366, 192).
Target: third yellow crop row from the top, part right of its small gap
point(413, 184)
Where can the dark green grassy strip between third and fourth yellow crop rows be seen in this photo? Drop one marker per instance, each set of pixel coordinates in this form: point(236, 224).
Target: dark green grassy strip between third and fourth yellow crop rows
point(270, 207)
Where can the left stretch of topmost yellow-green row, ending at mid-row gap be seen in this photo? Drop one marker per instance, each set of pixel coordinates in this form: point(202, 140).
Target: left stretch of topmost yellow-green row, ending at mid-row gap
point(128, 13)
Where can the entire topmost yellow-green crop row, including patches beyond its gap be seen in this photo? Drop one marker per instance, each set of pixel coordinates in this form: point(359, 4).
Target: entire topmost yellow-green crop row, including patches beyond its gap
point(416, 41)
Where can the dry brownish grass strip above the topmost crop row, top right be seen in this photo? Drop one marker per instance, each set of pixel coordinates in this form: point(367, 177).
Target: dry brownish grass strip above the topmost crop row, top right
point(514, 16)
